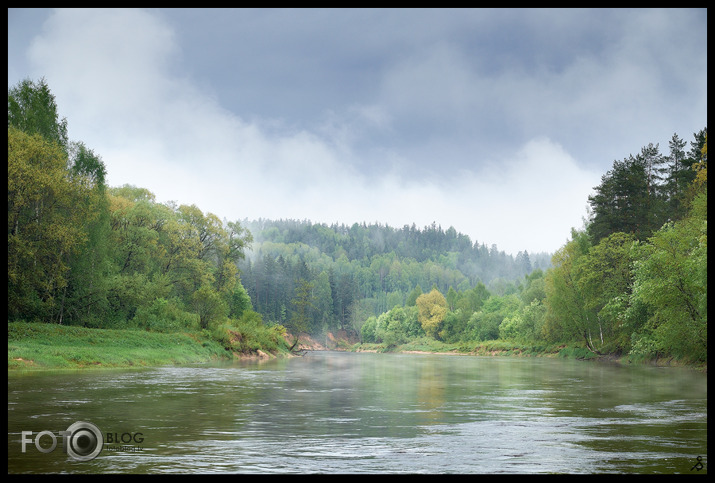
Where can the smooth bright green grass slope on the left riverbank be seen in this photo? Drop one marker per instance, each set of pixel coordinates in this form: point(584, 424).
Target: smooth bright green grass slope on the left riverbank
point(38, 346)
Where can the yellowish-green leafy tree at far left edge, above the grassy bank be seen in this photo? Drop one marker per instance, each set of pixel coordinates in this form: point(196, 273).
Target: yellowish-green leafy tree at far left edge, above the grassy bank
point(47, 220)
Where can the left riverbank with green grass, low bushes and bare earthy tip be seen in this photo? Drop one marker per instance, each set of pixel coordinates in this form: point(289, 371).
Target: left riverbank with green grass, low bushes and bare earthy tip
point(41, 346)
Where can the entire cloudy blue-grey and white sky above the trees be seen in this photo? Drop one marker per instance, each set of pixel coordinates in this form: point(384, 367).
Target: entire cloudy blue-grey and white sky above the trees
point(497, 122)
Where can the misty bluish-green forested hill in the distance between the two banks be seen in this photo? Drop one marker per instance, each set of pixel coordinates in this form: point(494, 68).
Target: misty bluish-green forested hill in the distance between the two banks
point(368, 268)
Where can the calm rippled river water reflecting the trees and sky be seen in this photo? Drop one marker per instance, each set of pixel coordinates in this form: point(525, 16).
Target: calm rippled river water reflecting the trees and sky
point(337, 412)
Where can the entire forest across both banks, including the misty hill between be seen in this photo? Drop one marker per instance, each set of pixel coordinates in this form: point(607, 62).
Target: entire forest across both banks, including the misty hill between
point(631, 281)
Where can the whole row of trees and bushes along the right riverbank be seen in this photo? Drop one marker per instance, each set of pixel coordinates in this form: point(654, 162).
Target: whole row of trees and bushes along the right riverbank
point(633, 281)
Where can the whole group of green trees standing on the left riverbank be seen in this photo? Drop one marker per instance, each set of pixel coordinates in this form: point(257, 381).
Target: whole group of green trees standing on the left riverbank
point(83, 253)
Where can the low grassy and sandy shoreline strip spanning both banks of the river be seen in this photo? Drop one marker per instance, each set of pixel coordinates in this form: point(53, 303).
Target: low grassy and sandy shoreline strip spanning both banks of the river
point(38, 346)
